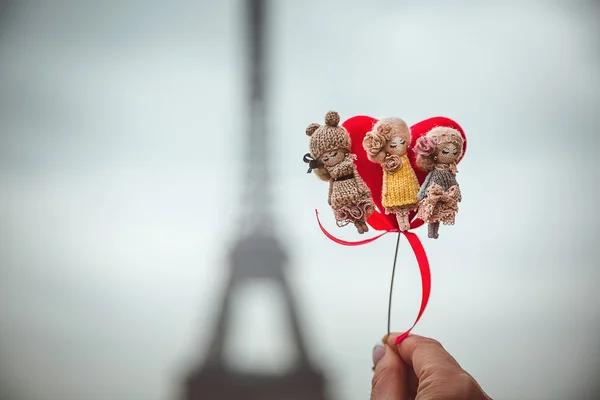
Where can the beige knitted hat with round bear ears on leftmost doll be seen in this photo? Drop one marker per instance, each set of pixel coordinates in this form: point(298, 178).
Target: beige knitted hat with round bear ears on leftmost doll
point(328, 137)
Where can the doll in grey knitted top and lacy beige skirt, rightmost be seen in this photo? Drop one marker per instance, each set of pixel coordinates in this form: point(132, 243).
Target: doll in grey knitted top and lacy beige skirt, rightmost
point(437, 153)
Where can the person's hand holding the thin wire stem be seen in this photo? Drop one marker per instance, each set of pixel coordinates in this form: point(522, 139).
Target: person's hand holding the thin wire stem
point(420, 369)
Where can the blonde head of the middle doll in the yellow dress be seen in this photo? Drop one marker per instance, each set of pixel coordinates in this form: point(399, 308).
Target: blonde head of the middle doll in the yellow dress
point(389, 137)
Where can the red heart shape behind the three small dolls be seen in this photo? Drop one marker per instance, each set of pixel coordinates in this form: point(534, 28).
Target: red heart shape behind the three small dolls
point(372, 173)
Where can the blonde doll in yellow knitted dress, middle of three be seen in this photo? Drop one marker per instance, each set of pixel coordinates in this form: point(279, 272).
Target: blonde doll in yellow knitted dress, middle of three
point(387, 144)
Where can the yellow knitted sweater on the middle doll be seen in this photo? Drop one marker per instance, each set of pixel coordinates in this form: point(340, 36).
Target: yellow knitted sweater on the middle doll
point(400, 188)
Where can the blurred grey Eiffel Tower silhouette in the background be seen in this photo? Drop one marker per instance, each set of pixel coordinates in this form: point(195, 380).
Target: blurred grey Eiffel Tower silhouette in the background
point(257, 254)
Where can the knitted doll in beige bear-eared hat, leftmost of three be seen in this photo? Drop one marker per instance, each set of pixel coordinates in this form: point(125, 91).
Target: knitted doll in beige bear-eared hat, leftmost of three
point(332, 161)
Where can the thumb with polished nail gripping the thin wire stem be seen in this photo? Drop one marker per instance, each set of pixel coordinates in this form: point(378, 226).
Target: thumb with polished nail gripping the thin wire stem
point(389, 379)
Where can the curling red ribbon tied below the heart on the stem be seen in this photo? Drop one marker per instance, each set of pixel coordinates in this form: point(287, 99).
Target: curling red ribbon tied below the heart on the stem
point(421, 256)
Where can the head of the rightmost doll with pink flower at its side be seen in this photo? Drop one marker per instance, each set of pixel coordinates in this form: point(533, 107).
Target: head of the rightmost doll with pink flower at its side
point(441, 145)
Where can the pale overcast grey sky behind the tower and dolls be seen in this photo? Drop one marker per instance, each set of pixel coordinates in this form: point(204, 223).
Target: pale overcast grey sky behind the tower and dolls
point(120, 165)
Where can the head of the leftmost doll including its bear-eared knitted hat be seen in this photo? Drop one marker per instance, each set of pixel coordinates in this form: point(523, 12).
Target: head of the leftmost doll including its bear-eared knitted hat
point(329, 143)
